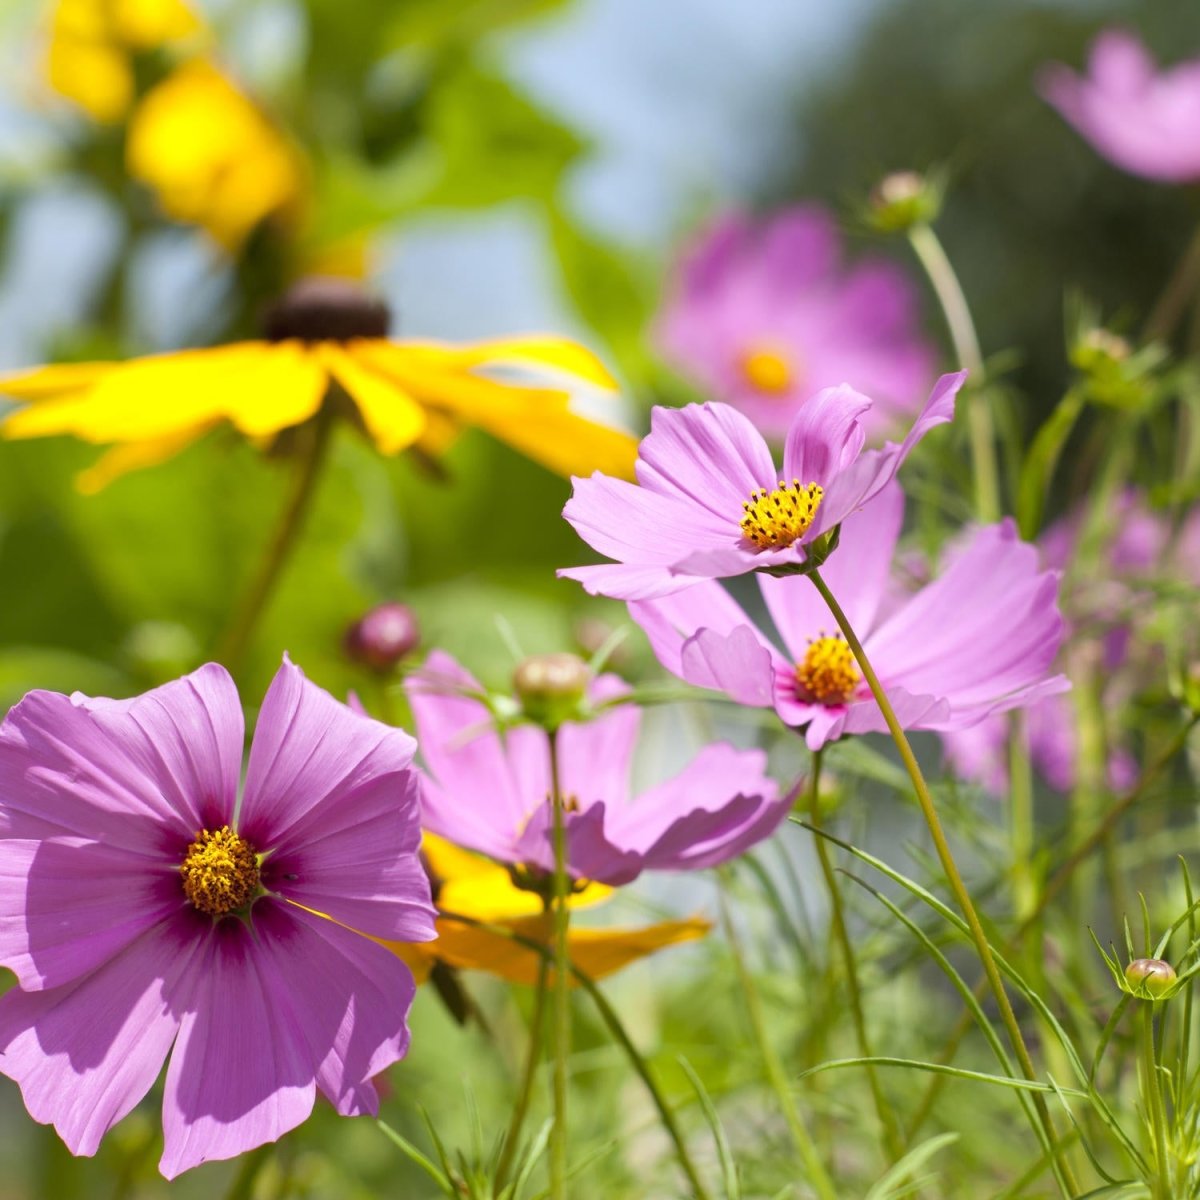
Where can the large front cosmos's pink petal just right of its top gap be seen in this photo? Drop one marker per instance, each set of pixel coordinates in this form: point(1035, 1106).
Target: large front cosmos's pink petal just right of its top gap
point(310, 753)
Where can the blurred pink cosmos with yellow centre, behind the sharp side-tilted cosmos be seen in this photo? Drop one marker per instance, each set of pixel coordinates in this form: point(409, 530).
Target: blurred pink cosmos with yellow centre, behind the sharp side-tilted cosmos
point(765, 317)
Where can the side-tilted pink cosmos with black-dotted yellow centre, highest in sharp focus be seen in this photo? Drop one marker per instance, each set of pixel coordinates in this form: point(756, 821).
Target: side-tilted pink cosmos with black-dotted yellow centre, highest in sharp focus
point(710, 503)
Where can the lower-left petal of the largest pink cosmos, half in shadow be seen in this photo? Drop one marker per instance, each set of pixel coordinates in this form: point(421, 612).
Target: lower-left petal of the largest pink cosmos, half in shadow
point(86, 1054)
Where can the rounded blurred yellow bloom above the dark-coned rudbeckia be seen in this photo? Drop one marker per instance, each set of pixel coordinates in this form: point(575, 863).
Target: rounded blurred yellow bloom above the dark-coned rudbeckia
point(212, 155)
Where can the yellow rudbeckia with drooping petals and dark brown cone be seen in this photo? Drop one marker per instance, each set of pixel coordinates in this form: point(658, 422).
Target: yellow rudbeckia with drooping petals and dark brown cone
point(326, 345)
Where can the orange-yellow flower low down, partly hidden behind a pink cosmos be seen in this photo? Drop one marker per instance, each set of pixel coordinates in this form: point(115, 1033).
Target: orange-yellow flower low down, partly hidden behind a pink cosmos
point(475, 887)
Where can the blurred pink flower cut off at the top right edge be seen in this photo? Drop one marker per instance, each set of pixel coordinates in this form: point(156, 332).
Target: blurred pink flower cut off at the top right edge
point(1143, 121)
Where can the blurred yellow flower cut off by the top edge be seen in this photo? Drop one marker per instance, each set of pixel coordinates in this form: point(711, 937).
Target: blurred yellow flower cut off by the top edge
point(89, 59)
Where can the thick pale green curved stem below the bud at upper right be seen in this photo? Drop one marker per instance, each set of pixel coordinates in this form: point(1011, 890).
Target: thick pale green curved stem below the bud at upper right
point(934, 260)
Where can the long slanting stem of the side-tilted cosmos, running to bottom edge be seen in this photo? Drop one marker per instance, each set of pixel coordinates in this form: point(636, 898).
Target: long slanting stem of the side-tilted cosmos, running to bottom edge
point(1061, 1168)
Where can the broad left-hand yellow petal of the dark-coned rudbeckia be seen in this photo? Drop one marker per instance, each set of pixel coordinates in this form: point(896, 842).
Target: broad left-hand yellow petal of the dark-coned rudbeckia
point(261, 388)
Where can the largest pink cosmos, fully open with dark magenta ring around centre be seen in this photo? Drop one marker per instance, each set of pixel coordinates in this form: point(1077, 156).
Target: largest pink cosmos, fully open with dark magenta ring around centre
point(143, 908)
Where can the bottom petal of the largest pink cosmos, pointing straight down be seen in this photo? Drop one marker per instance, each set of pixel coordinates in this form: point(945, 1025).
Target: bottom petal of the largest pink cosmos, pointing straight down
point(241, 1075)
